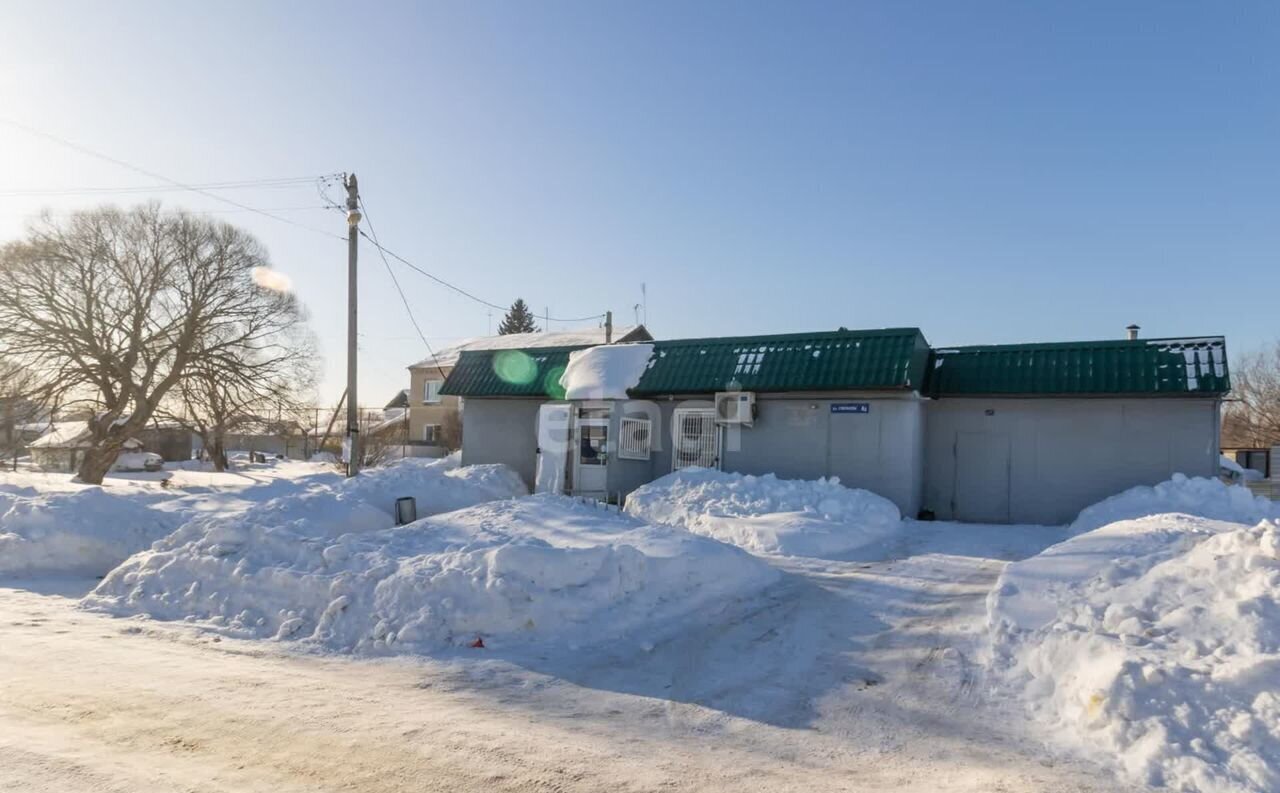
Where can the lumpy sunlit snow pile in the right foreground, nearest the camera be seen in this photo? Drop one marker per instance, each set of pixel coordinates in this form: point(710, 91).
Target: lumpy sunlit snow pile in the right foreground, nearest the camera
point(1169, 662)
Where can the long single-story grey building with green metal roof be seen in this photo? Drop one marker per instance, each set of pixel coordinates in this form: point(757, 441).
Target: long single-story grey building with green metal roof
point(1000, 434)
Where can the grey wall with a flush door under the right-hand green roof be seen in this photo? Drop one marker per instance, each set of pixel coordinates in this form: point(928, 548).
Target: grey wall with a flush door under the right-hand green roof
point(1041, 461)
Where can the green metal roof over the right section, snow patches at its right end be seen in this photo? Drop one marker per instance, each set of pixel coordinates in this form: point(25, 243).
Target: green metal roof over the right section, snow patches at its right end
point(1187, 368)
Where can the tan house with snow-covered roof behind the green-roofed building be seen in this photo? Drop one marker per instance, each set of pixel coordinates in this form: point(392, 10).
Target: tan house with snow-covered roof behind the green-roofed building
point(435, 419)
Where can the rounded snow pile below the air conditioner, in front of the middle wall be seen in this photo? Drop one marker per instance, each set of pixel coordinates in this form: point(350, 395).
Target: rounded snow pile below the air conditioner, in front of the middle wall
point(767, 515)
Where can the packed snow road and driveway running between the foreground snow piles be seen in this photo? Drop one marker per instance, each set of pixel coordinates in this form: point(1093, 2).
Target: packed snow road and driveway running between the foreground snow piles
point(845, 676)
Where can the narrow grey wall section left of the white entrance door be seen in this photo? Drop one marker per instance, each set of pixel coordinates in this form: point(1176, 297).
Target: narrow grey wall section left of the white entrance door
point(502, 432)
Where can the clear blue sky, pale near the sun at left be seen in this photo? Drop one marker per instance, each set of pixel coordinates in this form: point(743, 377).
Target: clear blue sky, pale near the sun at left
point(989, 172)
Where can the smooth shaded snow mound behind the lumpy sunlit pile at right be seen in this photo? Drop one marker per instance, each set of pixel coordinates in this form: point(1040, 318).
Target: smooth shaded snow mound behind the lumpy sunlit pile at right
point(1196, 497)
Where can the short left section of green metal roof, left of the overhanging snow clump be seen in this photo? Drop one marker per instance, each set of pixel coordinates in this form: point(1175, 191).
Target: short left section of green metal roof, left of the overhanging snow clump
point(509, 373)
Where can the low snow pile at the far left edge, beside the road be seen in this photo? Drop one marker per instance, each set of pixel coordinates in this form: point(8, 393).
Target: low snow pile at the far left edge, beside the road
point(81, 533)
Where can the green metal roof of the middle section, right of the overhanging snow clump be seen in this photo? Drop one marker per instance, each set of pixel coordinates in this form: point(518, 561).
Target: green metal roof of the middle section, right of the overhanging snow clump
point(840, 360)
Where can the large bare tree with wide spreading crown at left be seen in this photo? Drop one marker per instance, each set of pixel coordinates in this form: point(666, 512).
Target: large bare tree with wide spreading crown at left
point(116, 309)
